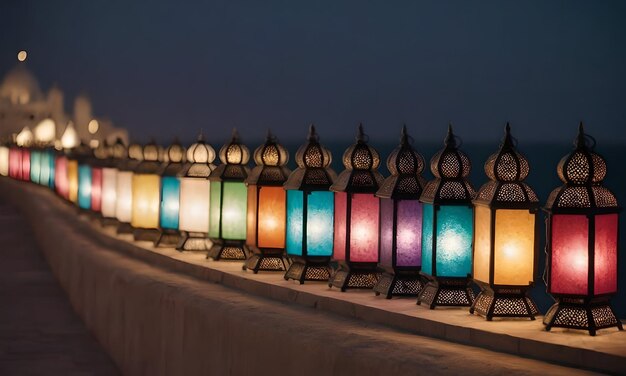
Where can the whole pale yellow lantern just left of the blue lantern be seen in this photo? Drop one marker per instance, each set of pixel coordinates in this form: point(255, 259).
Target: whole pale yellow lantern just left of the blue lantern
point(146, 191)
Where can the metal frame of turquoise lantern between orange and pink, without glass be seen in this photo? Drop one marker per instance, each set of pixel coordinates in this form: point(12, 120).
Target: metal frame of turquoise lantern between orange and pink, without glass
point(312, 175)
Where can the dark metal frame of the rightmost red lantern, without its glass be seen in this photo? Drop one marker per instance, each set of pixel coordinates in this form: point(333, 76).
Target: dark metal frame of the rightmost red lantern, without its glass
point(582, 194)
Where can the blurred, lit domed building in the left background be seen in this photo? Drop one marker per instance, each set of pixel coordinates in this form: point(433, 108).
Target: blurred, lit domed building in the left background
point(23, 104)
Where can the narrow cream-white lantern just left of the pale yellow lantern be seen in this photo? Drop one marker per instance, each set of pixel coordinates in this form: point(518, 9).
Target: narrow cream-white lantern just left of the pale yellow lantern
point(124, 189)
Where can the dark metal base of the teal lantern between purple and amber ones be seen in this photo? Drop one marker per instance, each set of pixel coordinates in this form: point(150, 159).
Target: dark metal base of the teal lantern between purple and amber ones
point(446, 291)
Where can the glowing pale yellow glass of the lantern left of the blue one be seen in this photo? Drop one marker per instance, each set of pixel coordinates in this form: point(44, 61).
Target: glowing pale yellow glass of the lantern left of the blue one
point(146, 201)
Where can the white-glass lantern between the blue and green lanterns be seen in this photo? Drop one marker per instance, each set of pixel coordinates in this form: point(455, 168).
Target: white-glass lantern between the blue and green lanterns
point(193, 217)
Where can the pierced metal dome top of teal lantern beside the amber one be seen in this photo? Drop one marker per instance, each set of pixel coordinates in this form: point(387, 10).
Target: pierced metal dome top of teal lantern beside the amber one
point(451, 167)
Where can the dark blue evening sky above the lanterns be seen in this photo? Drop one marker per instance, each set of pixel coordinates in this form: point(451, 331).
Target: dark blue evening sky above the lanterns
point(161, 69)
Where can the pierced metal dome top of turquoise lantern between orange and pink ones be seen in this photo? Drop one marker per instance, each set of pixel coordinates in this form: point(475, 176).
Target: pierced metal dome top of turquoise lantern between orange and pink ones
point(313, 160)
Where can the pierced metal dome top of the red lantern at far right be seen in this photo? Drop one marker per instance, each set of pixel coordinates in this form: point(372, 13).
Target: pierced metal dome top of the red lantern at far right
point(582, 171)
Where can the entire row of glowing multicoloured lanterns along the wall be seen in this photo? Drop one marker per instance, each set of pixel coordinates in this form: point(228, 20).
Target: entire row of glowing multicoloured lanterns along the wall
point(428, 239)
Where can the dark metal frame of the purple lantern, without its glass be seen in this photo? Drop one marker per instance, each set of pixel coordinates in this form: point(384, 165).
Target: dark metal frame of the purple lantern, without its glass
point(404, 185)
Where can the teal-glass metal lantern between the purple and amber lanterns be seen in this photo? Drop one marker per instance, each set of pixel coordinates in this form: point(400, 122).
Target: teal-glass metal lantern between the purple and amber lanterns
point(447, 229)
